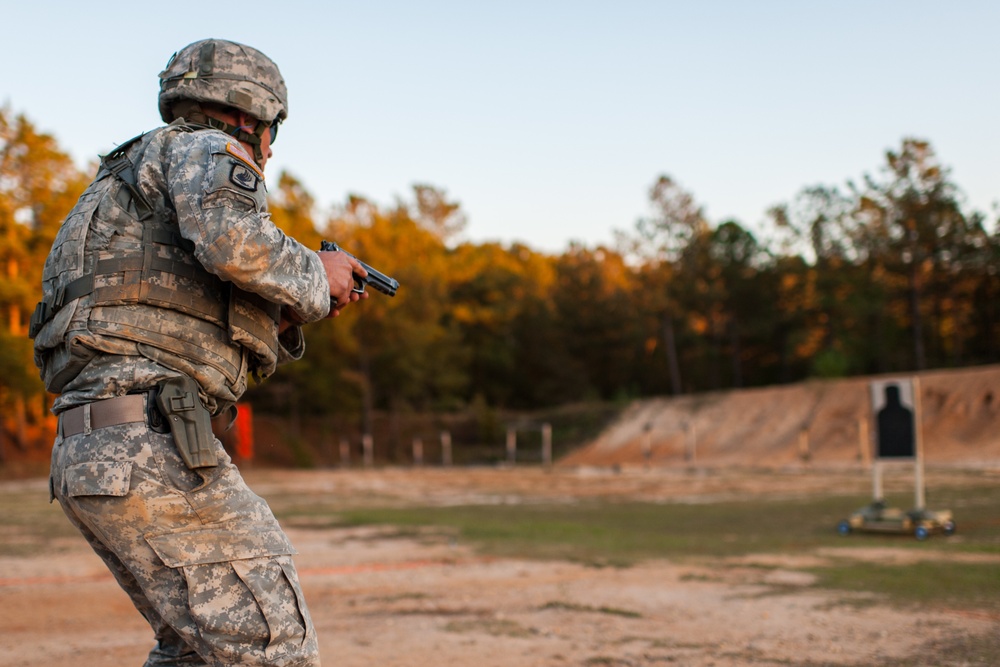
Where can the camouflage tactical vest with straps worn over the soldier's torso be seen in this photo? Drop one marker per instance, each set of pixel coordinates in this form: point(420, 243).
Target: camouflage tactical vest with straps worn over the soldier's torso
point(120, 279)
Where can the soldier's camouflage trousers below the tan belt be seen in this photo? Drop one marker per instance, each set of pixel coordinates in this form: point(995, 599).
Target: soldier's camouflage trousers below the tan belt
point(201, 555)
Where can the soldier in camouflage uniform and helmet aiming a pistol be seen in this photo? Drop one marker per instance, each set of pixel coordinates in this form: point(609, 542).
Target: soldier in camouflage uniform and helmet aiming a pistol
point(166, 286)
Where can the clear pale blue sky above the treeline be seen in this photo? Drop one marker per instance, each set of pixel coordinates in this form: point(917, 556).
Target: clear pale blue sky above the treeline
point(549, 120)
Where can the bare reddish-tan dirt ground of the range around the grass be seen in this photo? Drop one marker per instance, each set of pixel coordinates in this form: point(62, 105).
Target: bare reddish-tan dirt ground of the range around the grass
point(379, 599)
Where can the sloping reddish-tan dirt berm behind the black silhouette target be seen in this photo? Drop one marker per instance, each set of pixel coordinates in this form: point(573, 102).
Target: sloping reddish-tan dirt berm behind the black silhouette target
point(820, 421)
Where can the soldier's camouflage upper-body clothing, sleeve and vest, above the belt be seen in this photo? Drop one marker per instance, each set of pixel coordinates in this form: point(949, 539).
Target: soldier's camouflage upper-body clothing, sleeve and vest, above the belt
point(205, 190)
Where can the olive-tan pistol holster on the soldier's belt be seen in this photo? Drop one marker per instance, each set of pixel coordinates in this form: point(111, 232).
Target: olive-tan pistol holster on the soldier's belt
point(189, 421)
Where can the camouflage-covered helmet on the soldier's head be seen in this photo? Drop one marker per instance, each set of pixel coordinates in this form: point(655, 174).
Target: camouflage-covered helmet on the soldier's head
point(222, 72)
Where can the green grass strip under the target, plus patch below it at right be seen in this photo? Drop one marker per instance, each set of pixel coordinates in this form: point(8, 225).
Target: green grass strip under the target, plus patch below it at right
point(621, 534)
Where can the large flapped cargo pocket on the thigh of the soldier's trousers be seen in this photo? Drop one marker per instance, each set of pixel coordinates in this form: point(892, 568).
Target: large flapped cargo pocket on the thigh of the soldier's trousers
point(242, 589)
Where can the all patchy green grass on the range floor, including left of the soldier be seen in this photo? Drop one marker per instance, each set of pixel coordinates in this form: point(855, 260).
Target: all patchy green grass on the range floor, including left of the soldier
point(620, 534)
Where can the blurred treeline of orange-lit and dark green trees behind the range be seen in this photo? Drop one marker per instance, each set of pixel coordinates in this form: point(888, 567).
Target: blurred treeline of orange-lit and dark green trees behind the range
point(884, 275)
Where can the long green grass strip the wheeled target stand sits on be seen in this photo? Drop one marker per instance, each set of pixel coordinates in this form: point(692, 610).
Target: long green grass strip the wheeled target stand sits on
point(620, 534)
